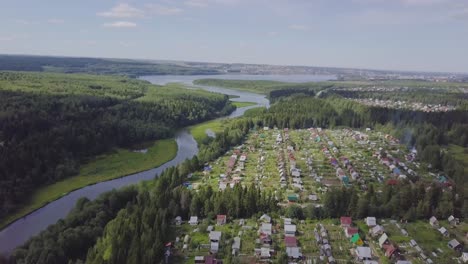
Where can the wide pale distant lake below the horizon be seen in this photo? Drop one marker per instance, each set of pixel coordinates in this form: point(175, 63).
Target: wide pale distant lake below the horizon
point(188, 79)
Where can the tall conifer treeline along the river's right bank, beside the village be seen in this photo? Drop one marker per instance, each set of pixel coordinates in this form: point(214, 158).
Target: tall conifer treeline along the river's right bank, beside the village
point(138, 233)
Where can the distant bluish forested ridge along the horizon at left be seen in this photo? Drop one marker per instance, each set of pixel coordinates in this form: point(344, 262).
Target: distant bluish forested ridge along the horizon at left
point(95, 66)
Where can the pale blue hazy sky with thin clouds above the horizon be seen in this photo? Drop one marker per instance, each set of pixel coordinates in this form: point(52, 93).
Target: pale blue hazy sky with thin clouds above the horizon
point(423, 35)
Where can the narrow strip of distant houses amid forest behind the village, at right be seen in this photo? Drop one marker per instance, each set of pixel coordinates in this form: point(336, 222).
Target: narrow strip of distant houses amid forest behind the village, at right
point(406, 105)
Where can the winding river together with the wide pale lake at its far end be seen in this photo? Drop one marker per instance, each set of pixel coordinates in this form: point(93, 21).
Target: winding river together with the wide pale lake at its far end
point(22, 229)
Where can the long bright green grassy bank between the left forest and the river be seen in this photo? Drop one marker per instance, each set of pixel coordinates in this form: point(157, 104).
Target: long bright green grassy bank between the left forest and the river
point(103, 168)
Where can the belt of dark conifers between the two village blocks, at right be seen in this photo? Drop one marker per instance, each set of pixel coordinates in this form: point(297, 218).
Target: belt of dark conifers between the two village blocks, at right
point(404, 201)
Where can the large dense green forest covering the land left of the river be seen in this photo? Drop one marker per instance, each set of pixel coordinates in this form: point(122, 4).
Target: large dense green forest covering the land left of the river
point(52, 123)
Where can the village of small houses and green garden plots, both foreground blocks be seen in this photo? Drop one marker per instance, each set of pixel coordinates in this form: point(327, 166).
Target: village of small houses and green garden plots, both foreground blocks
point(300, 167)
